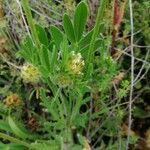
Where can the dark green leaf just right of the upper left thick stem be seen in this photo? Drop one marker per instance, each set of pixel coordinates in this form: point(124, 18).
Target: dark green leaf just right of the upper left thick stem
point(42, 35)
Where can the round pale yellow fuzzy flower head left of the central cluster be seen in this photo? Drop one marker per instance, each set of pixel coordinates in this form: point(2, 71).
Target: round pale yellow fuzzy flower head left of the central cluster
point(30, 73)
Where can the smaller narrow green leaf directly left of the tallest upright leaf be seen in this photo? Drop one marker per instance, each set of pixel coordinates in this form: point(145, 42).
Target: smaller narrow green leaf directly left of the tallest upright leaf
point(68, 27)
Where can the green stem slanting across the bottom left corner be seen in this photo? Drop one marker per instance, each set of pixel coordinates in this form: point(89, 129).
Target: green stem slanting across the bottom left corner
point(14, 140)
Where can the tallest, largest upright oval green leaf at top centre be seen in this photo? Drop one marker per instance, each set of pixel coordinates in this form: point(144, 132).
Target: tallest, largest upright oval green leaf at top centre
point(80, 18)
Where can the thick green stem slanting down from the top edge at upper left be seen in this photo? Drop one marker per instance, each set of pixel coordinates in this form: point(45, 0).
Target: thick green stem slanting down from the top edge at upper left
point(26, 7)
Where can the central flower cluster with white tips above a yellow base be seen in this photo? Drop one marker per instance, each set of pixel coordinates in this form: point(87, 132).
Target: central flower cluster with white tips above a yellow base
point(76, 63)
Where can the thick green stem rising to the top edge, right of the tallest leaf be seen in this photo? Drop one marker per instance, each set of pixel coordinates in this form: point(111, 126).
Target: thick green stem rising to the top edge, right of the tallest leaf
point(96, 31)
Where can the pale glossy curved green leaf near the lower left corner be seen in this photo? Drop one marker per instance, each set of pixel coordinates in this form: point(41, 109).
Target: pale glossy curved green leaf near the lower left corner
point(16, 130)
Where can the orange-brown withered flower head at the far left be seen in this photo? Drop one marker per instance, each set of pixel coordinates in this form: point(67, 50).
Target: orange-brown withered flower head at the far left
point(12, 100)
